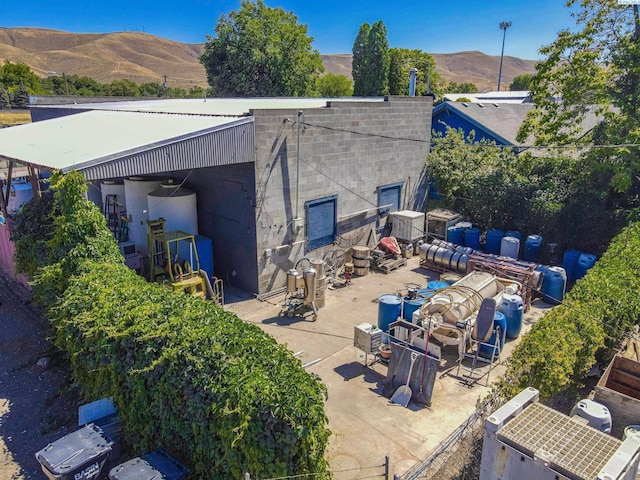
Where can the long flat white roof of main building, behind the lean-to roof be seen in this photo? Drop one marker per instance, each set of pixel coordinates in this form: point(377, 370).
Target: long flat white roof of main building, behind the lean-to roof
point(210, 106)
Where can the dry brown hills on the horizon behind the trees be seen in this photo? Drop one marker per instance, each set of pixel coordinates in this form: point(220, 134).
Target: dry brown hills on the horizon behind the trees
point(146, 58)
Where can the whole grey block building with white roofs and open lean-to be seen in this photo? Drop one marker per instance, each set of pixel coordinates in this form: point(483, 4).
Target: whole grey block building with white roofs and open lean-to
point(264, 182)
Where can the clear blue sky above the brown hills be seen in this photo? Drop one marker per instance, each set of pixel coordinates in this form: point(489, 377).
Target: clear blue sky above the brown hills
point(435, 27)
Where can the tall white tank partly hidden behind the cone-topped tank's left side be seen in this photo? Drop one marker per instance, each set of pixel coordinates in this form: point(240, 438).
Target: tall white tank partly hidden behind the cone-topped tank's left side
point(136, 191)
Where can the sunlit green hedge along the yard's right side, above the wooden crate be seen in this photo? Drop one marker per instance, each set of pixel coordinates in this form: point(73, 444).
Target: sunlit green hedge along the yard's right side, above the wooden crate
point(594, 317)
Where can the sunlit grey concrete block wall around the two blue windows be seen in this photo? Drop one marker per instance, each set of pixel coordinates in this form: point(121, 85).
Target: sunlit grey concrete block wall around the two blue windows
point(347, 149)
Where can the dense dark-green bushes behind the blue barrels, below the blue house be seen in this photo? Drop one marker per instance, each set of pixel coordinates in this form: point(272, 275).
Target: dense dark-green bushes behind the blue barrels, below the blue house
point(551, 196)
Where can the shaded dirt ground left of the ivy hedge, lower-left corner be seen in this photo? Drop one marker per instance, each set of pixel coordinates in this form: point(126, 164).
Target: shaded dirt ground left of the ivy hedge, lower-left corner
point(38, 402)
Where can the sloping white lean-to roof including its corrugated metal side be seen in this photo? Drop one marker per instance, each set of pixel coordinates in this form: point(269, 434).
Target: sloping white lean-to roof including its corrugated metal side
point(107, 144)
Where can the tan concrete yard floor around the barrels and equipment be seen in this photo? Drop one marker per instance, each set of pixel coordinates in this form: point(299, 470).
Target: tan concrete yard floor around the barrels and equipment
point(365, 425)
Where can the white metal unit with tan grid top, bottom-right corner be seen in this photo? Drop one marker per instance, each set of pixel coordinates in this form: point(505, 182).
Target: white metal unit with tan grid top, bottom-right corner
point(525, 440)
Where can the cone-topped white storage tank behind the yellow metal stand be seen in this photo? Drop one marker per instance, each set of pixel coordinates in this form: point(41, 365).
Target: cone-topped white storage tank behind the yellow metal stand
point(177, 205)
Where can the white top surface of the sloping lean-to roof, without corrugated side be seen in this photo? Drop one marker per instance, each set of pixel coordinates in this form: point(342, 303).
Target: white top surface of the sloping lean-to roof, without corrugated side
point(87, 138)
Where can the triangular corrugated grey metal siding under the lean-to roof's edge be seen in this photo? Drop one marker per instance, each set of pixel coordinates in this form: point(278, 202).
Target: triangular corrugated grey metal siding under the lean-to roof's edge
point(230, 145)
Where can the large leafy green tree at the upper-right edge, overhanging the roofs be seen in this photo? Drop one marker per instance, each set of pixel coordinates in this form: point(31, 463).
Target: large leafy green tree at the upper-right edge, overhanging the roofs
point(592, 69)
